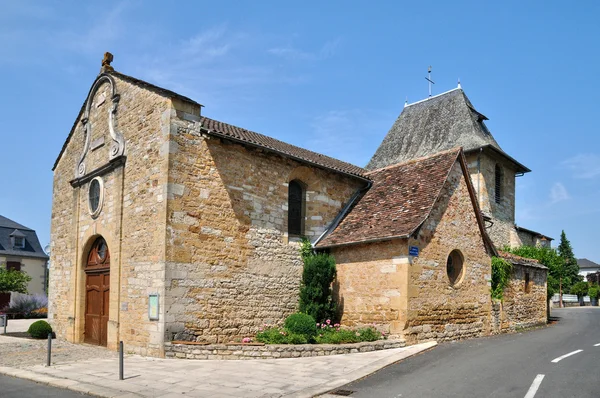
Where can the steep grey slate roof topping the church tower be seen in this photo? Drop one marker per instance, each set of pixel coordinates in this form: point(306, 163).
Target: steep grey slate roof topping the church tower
point(436, 124)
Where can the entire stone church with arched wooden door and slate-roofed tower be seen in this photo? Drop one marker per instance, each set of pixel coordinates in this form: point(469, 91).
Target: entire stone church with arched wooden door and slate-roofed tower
point(168, 225)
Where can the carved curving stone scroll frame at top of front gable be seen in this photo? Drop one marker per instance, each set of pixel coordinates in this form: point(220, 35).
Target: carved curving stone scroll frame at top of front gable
point(117, 147)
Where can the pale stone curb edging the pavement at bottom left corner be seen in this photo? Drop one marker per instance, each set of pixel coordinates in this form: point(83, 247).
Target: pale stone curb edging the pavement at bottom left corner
point(73, 385)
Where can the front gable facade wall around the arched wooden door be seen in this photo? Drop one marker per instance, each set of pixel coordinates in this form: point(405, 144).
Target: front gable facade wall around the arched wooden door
point(134, 200)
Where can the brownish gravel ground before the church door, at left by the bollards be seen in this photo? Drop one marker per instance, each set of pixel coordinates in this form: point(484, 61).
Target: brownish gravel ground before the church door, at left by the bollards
point(20, 353)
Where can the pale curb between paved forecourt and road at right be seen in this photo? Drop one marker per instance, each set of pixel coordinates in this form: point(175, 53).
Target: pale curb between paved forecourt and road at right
point(363, 372)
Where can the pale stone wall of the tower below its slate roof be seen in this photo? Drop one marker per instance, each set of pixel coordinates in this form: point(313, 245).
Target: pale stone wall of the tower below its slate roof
point(503, 213)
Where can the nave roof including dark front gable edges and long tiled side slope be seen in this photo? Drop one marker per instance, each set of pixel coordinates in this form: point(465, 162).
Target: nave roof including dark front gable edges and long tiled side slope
point(238, 134)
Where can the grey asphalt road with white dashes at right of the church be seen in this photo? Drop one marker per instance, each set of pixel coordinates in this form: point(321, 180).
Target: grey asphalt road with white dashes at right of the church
point(501, 366)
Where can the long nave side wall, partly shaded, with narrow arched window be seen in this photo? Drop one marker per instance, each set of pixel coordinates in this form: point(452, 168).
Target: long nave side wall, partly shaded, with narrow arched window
point(230, 267)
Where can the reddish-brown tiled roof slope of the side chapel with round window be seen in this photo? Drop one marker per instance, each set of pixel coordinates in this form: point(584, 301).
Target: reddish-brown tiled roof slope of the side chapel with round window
point(399, 201)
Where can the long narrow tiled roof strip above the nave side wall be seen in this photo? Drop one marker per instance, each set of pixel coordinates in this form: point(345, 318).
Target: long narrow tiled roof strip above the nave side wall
point(244, 136)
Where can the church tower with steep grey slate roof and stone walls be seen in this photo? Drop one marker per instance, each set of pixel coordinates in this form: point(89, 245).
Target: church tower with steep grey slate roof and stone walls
point(449, 120)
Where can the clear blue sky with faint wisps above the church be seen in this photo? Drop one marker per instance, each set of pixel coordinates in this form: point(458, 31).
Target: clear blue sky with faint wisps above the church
point(329, 77)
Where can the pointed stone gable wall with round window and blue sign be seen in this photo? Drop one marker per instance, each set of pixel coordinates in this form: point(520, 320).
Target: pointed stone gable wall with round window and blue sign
point(437, 309)
